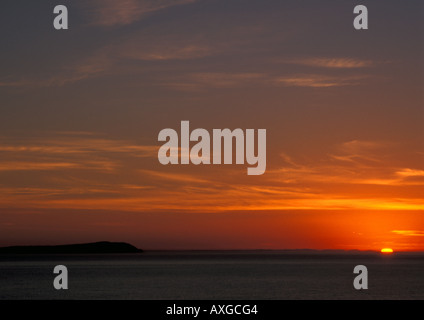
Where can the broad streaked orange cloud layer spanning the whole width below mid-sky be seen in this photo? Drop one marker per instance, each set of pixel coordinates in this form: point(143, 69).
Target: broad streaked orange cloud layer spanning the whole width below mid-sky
point(324, 184)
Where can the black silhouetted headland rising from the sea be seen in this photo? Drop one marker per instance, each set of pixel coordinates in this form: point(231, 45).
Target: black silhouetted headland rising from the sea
point(81, 248)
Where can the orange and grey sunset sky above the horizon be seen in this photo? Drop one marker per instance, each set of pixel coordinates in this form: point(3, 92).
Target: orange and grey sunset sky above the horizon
point(81, 110)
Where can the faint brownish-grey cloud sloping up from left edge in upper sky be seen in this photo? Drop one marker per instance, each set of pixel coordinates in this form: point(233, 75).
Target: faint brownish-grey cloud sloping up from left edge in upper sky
point(144, 45)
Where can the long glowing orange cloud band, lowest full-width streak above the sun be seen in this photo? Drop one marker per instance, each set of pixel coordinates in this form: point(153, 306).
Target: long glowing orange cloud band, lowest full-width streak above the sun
point(210, 199)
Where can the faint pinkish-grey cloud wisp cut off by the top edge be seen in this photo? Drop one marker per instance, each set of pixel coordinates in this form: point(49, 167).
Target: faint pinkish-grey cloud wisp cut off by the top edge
point(108, 13)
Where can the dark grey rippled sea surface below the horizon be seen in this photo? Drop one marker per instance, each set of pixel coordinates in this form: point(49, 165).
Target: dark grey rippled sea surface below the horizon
point(220, 275)
